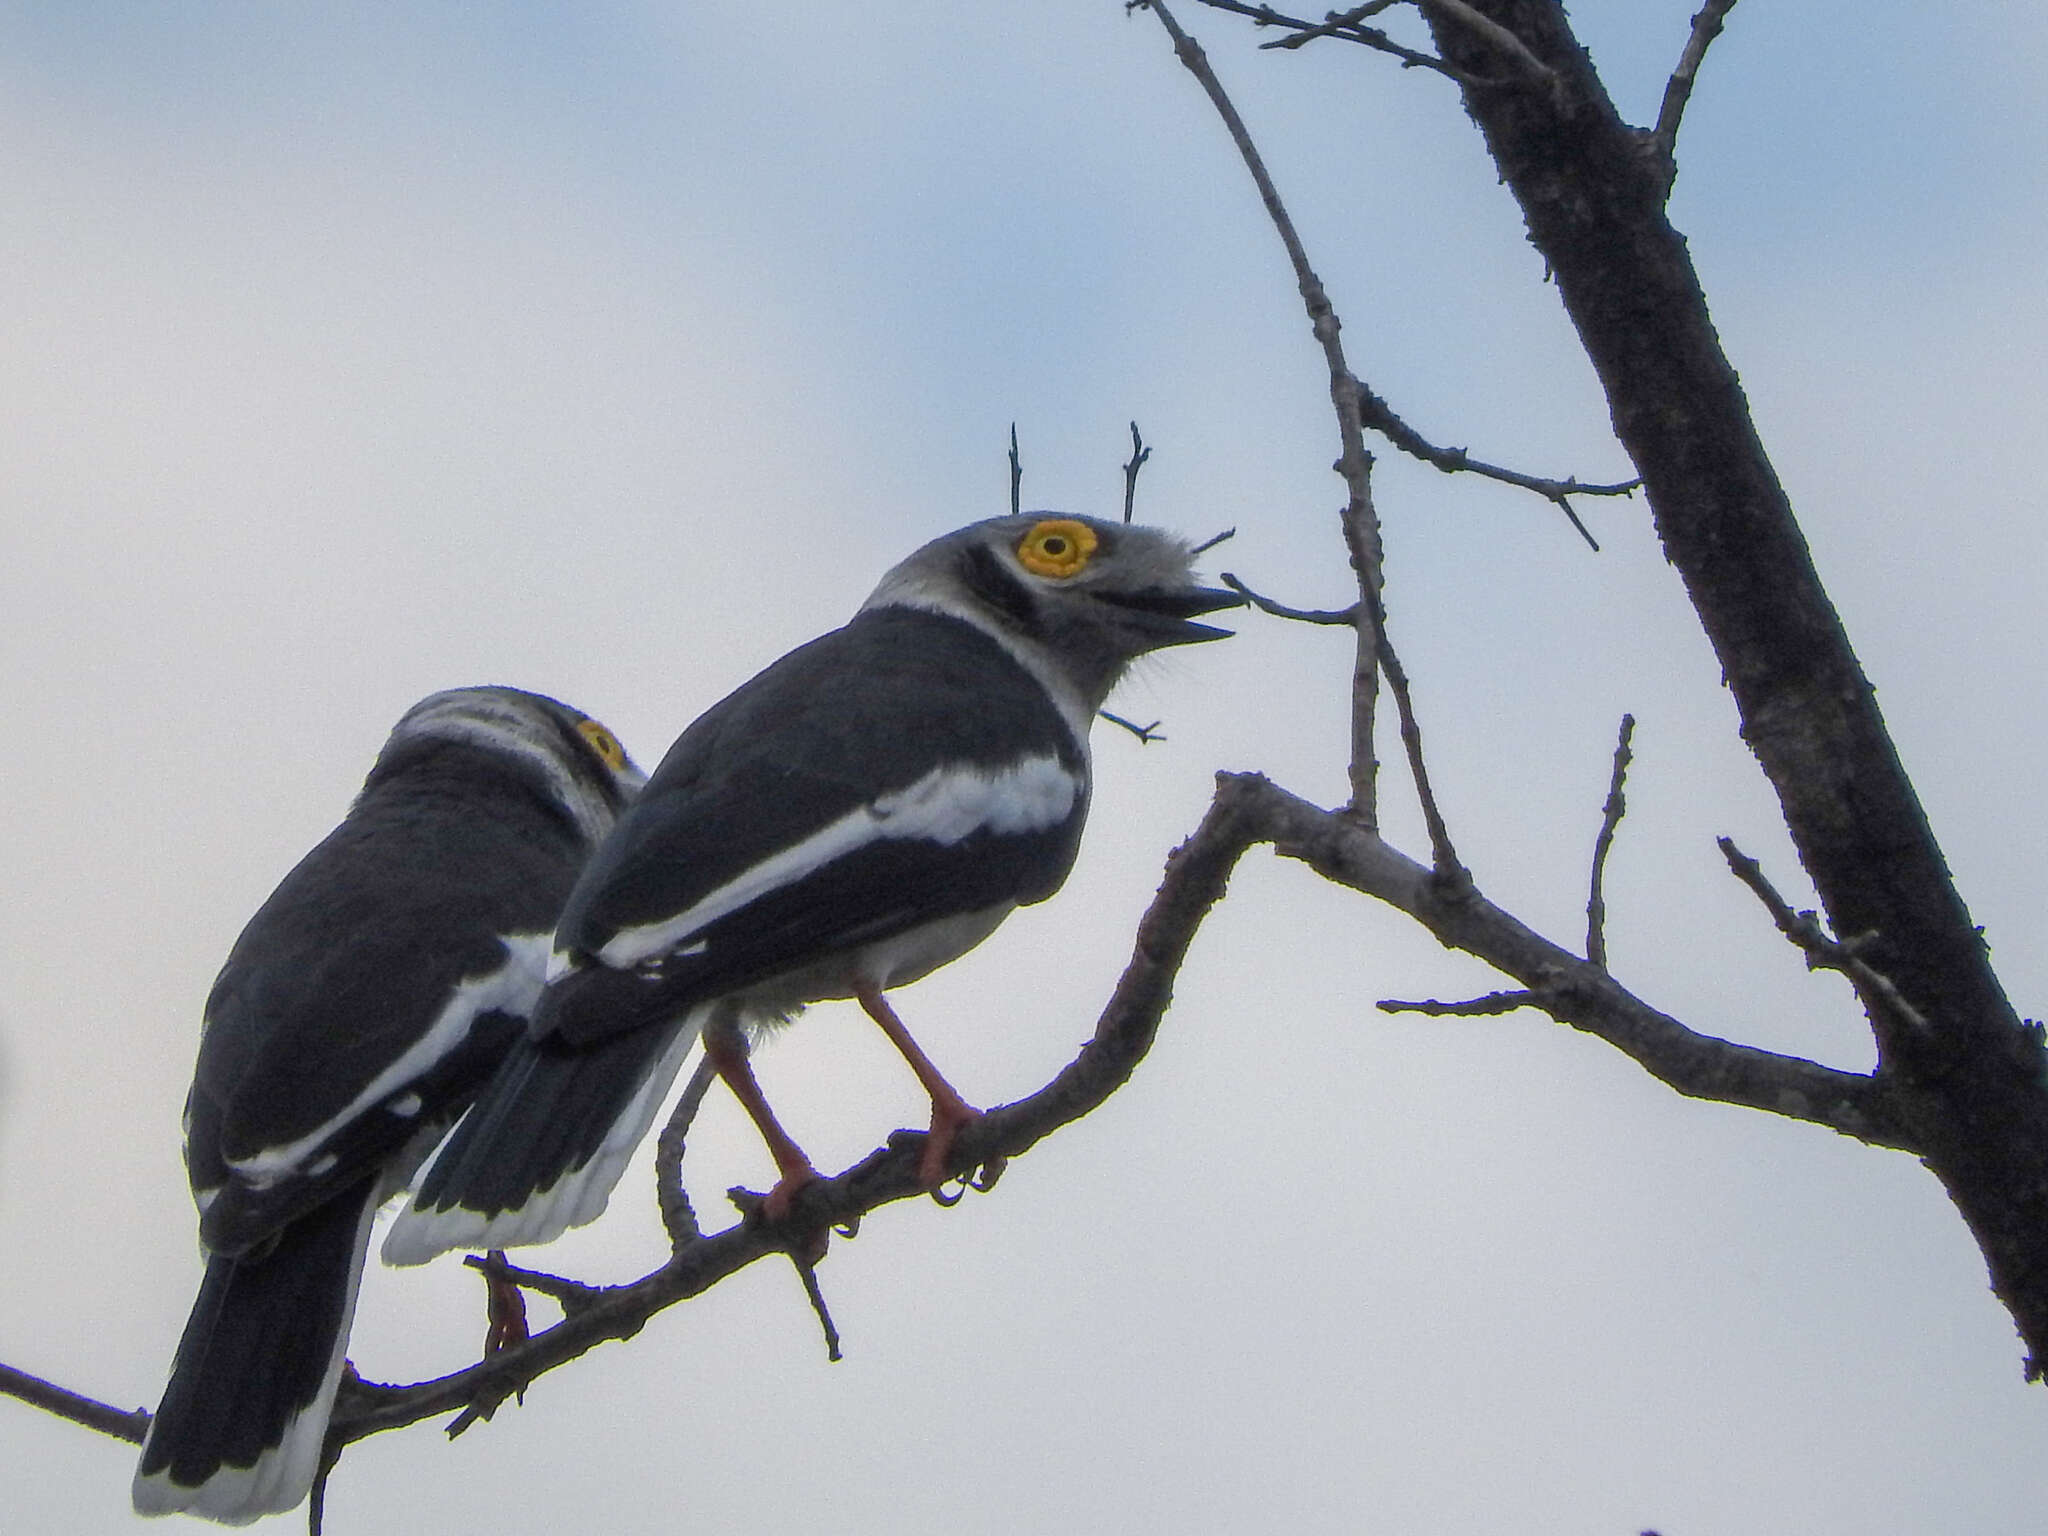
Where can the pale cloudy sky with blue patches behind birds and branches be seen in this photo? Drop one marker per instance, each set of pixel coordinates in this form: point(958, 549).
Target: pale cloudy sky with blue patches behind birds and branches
point(611, 351)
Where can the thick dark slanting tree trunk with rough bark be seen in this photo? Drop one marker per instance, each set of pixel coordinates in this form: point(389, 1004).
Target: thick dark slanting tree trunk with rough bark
point(1961, 1068)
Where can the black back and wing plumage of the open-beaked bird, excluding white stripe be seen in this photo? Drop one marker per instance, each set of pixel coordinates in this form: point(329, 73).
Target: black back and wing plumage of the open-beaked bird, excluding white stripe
point(796, 751)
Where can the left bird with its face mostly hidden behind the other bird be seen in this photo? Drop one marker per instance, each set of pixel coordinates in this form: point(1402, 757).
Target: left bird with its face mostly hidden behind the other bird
point(355, 1017)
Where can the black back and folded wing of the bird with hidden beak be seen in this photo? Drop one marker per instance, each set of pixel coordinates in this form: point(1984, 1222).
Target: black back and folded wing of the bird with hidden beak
point(345, 972)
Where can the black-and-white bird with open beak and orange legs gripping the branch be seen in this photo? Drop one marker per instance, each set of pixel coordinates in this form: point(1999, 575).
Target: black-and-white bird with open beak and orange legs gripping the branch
point(857, 816)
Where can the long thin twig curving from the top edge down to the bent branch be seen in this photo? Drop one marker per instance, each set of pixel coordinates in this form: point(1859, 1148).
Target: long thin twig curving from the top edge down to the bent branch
point(1361, 521)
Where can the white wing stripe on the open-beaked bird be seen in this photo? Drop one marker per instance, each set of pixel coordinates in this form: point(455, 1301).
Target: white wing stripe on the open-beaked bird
point(947, 806)
